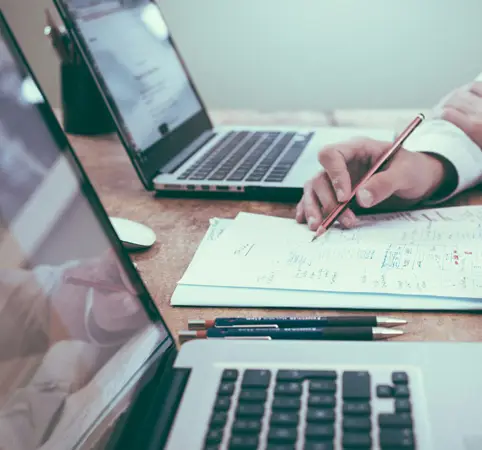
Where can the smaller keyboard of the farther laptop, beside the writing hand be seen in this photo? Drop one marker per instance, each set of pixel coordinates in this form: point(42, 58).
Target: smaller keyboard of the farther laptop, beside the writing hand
point(250, 156)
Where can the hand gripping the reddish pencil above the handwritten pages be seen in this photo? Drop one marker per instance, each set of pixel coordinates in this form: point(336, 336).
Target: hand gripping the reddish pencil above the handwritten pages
point(408, 178)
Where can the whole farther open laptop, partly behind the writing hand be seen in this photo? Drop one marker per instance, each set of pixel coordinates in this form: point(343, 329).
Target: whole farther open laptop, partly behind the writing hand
point(161, 118)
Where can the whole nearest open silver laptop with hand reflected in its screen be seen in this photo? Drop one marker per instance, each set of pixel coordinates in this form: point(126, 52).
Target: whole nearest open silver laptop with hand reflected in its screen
point(86, 360)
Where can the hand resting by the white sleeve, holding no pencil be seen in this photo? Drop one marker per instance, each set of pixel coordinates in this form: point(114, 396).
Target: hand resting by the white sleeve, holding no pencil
point(463, 108)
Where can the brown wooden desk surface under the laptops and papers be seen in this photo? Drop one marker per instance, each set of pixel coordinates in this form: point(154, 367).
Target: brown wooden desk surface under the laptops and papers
point(180, 224)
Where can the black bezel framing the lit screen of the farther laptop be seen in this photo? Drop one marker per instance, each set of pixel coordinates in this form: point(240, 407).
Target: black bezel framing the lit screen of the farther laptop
point(168, 146)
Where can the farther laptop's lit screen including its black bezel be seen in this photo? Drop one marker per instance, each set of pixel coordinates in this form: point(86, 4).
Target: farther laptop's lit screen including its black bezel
point(128, 48)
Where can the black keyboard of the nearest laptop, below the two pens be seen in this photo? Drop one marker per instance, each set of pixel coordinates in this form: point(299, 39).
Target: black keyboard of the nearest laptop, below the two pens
point(311, 410)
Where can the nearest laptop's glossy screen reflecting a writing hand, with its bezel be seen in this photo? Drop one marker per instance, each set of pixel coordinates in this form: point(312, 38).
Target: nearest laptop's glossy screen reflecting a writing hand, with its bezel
point(77, 327)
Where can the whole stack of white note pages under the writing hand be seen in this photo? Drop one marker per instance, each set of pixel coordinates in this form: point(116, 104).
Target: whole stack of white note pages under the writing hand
point(428, 259)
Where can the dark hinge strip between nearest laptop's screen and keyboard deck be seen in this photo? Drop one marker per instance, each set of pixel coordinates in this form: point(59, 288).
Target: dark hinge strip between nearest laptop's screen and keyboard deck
point(146, 424)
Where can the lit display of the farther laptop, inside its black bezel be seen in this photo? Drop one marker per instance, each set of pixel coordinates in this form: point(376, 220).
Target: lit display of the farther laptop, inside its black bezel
point(133, 52)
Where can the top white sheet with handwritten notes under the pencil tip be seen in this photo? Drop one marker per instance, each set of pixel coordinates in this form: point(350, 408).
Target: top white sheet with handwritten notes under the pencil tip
point(430, 253)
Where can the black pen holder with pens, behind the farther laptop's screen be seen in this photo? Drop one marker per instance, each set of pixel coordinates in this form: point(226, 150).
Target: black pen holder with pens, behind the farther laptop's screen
point(84, 110)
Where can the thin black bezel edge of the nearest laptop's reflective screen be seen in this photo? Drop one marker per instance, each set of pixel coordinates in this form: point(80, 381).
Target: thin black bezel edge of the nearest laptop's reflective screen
point(46, 112)
